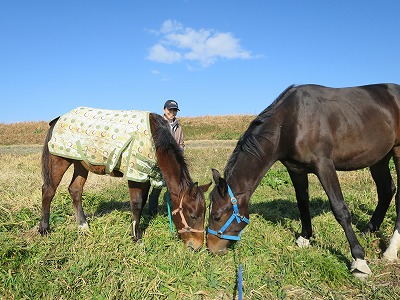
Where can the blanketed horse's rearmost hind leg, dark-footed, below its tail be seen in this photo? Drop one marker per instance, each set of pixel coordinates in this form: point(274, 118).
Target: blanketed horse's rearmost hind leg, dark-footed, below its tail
point(53, 170)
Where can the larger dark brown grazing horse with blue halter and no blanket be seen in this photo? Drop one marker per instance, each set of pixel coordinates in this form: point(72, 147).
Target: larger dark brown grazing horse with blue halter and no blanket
point(314, 129)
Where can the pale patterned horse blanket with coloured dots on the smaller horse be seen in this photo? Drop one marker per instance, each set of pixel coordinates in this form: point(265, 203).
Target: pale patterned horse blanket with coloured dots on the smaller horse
point(117, 139)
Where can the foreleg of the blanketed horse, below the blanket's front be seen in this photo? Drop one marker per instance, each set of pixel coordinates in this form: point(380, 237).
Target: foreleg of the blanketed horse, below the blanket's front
point(138, 192)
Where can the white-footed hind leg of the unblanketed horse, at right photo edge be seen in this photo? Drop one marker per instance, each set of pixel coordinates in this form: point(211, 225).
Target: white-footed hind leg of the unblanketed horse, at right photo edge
point(394, 243)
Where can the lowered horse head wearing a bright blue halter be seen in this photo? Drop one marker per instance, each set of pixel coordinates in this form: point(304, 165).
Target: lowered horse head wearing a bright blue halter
point(225, 223)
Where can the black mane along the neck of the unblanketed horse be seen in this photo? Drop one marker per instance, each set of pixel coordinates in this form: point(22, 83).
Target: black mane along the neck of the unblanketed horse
point(249, 141)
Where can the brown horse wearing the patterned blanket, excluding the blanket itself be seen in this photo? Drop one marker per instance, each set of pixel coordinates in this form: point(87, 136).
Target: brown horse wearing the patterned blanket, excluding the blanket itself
point(186, 196)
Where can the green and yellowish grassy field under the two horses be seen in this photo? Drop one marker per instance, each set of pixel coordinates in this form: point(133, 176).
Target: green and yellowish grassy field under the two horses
point(105, 264)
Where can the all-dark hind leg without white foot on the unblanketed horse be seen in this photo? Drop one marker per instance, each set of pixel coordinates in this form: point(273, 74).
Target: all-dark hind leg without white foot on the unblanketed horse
point(386, 189)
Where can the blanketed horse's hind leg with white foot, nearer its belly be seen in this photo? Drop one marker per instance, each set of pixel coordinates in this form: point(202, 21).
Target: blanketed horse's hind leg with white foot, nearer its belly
point(75, 189)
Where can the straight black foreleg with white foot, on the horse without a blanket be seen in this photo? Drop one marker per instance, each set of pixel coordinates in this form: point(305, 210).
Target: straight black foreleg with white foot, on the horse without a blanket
point(300, 184)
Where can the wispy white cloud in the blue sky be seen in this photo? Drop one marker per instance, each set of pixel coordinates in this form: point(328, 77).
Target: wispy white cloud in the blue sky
point(205, 47)
